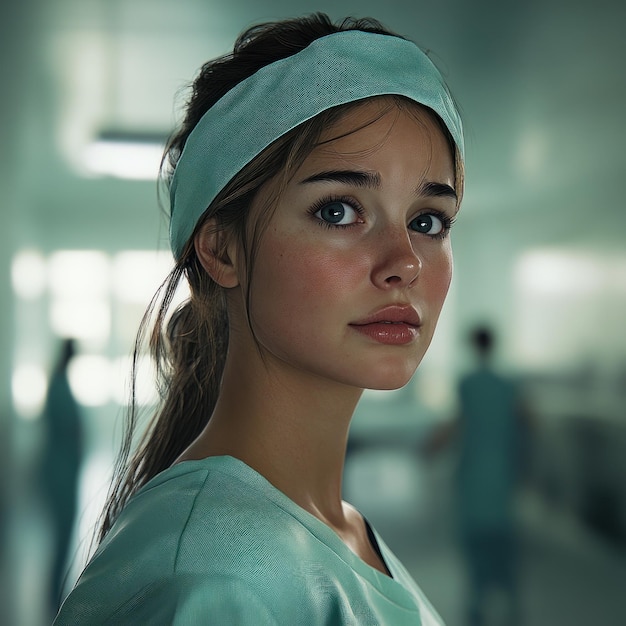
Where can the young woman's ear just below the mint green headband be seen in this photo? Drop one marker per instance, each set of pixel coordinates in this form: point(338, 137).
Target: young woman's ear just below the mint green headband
point(217, 253)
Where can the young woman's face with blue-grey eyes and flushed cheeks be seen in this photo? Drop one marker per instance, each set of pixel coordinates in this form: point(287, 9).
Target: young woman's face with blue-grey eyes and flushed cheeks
point(354, 266)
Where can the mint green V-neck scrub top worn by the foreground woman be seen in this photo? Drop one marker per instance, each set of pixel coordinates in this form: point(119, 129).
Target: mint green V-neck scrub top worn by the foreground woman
point(213, 542)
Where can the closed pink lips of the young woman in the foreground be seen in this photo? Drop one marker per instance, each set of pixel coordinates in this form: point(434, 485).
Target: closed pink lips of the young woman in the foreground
point(392, 325)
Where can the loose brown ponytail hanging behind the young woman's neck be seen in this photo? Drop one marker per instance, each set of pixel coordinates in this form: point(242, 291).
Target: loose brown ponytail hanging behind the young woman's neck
point(188, 353)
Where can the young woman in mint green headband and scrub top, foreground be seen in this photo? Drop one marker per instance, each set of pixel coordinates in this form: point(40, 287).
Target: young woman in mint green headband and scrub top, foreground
point(313, 186)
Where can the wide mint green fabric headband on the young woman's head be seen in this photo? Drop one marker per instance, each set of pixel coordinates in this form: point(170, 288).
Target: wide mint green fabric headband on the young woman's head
point(333, 70)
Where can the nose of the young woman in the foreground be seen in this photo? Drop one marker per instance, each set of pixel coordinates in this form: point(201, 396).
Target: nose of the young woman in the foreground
point(397, 264)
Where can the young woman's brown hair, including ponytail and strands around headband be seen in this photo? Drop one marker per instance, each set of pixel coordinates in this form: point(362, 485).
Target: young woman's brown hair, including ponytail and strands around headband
point(189, 347)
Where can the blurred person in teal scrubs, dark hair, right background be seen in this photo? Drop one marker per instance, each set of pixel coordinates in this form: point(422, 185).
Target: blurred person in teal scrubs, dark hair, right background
point(491, 437)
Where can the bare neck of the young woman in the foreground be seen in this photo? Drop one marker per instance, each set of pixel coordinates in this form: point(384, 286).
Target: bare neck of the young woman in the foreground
point(289, 426)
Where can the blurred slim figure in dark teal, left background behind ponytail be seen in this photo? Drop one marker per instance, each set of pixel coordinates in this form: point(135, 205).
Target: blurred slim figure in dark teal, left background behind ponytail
point(60, 463)
